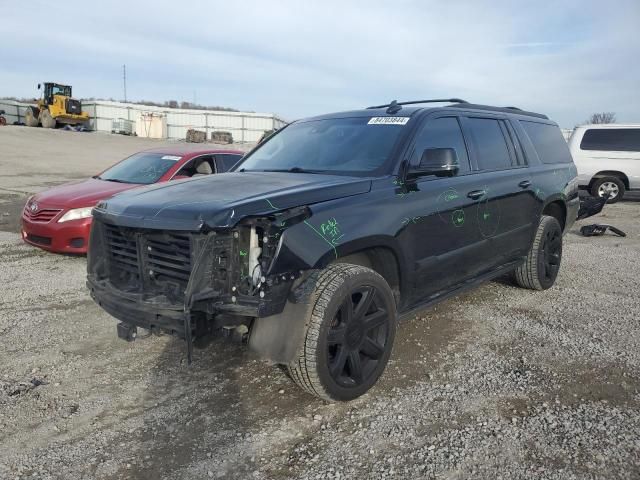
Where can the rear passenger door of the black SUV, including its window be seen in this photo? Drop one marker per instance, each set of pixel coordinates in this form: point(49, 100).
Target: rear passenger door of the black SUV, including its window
point(505, 209)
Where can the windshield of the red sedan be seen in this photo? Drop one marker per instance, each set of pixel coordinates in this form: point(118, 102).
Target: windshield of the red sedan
point(144, 168)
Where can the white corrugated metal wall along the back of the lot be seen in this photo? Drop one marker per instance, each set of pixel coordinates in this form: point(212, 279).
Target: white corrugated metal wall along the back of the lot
point(244, 126)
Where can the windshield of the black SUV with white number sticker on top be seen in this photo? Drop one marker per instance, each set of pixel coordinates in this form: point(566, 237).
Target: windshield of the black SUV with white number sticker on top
point(355, 146)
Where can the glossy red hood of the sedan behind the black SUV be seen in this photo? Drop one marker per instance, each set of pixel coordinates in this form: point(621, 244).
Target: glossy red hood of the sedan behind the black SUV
point(85, 193)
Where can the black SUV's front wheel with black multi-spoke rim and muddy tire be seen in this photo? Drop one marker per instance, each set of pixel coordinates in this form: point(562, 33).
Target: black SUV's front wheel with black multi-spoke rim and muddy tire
point(349, 335)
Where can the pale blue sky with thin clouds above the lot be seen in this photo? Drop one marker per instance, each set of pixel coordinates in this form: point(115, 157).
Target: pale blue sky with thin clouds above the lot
point(567, 59)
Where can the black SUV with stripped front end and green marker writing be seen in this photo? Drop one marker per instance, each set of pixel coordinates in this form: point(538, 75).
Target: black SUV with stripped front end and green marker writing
point(323, 235)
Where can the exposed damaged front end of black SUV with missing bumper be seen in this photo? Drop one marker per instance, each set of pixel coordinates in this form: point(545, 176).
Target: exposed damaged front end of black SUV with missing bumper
point(188, 284)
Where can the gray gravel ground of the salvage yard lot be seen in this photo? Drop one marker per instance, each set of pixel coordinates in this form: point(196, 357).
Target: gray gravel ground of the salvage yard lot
point(501, 381)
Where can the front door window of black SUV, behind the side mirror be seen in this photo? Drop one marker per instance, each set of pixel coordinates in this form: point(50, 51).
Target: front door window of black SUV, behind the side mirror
point(442, 133)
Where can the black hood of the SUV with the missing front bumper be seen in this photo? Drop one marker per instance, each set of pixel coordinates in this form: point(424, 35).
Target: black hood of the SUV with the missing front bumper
point(220, 201)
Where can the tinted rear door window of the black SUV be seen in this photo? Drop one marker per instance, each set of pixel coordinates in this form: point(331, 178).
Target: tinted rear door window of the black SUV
point(491, 147)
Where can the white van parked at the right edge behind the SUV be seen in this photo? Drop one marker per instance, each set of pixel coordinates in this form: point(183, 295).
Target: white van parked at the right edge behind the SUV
point(608, 158)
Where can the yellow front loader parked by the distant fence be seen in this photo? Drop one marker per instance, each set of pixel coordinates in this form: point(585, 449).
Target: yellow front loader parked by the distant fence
point(55, 107)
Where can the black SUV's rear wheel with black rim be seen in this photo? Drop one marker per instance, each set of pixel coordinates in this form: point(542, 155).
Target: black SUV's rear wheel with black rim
point(540, 269)
